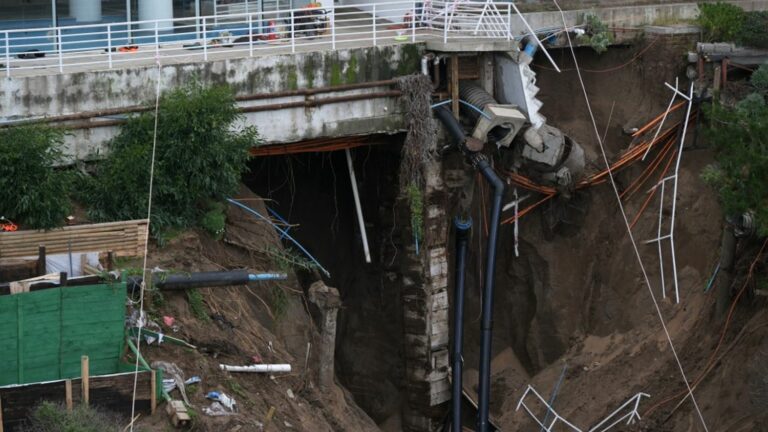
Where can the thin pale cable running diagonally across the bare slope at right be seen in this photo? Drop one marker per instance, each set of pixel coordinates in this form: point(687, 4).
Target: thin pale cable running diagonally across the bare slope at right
point(629, 230)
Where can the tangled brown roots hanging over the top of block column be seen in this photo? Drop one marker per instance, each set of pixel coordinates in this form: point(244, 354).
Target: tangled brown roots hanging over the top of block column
point(420, 141)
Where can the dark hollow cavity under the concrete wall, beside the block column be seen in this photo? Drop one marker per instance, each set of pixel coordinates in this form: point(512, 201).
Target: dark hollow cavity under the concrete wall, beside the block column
point(313, 192)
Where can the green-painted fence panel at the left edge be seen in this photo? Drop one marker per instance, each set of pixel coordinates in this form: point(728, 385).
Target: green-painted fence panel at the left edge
point(46, 332)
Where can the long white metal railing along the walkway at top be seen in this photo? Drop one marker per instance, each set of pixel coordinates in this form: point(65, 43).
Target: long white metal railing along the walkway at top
point(122, 44)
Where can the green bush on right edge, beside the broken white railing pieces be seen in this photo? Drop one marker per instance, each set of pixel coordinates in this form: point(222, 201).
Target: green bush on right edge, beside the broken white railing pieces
point(739, 137)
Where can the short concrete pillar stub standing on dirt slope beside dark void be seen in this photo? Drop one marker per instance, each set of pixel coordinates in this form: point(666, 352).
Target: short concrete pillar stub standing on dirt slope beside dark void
point(328, 301)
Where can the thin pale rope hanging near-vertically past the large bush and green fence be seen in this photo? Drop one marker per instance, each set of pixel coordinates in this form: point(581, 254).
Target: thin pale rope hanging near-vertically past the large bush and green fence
point(146, 248)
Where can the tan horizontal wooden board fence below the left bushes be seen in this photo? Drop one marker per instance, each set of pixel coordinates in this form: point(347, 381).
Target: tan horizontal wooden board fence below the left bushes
point(124, 238)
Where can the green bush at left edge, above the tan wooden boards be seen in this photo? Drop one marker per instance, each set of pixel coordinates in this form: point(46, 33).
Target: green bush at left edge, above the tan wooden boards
point(34, 193)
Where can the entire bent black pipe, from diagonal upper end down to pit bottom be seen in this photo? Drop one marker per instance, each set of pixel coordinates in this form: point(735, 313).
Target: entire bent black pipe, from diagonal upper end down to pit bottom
point(481, 163)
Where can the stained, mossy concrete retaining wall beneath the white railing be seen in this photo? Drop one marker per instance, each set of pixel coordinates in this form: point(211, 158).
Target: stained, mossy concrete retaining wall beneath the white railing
point(53, 95)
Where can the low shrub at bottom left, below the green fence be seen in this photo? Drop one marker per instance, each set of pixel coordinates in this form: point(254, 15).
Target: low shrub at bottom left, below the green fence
point(50, 417)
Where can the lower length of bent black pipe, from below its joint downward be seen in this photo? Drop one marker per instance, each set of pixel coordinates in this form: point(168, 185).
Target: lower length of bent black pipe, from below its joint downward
point(486, 325)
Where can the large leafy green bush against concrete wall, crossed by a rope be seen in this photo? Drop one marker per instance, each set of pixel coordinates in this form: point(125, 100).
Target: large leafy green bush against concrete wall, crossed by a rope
point(200, 157)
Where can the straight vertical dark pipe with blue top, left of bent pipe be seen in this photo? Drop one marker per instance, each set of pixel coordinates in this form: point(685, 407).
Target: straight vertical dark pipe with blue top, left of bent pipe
point(462, 239)
